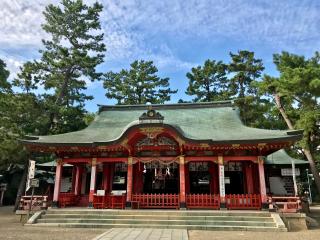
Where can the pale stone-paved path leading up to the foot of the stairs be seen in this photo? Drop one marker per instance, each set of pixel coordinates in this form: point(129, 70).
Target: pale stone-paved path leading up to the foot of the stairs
point(143, 234)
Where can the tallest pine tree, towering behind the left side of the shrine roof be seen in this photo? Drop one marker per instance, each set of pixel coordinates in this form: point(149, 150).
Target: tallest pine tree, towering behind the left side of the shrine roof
point(67, 62)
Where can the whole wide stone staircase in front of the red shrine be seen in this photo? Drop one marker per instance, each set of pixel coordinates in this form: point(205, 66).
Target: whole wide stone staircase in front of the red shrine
point(174, 219)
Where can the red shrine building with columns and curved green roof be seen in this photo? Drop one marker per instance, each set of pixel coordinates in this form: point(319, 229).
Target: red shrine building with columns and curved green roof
point(188, 155)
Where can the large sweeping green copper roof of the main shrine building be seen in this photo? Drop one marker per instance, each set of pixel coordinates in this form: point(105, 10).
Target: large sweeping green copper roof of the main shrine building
point(216, 122)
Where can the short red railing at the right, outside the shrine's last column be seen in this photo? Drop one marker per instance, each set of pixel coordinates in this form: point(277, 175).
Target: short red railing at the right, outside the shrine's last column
point(285, 204)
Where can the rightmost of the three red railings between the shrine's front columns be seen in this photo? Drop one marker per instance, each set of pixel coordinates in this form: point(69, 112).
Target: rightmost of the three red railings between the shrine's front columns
point(243, 201)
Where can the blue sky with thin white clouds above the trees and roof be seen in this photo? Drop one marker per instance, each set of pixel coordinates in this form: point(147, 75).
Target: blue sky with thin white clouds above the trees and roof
point(176, 34)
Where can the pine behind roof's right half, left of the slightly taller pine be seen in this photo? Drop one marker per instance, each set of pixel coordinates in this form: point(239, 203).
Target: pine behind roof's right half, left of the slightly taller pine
point(208, 82)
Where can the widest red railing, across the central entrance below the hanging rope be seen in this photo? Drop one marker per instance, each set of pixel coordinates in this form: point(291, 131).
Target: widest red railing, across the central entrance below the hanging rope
point(156, 200)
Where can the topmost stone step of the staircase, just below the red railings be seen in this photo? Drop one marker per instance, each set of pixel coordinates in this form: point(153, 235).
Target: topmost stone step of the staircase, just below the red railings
point(161, 212)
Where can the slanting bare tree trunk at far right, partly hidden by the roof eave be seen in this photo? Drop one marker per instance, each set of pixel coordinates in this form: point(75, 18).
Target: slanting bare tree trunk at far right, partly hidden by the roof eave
point(306, 152)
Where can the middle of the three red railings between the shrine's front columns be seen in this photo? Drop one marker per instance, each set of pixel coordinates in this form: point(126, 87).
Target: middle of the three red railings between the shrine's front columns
point(209, 201)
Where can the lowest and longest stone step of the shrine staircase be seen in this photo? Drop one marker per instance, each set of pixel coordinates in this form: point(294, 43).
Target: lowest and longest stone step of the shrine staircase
point(189, 227)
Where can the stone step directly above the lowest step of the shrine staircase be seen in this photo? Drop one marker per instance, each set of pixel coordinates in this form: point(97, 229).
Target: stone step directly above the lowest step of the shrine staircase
point(158, 222)
